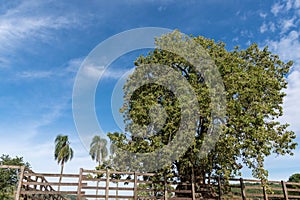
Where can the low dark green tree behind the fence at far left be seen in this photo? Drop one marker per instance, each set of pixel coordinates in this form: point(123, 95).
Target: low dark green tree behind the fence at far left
point(9, 177)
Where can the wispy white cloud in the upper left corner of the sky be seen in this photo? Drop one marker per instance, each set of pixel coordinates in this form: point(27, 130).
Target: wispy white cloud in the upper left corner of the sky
point(29, 21)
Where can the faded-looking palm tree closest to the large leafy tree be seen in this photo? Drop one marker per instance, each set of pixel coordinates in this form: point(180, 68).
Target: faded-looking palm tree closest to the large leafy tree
point(98, 152)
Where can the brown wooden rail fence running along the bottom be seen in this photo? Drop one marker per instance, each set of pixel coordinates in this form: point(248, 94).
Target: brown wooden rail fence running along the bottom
point(105, 184)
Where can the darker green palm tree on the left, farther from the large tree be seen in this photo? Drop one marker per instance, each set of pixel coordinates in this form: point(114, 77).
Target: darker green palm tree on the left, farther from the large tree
point(63, 153)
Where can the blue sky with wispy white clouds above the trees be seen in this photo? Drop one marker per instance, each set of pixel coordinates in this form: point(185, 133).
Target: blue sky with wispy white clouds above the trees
point(43, 44)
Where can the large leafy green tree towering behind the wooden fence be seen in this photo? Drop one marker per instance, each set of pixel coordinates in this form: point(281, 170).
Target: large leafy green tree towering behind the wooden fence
point(254, 80)
